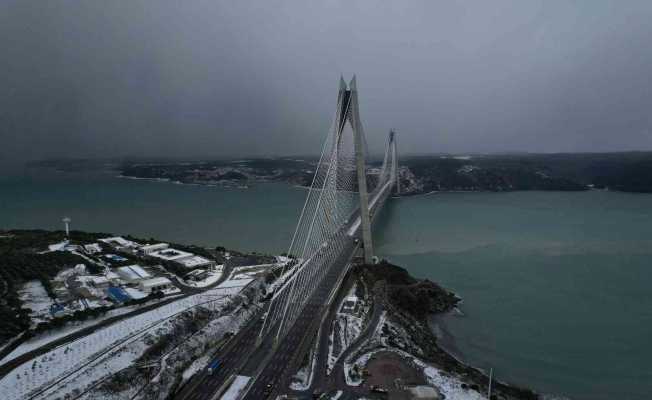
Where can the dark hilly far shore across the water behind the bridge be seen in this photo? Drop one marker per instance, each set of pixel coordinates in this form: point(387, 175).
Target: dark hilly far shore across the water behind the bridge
point(418, 175)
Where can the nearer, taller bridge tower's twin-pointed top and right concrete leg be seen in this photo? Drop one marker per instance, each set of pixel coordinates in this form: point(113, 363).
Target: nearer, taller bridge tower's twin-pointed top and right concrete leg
point(348, 111)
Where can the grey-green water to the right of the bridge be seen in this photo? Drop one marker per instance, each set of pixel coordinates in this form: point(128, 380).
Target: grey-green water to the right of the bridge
point(557, 287)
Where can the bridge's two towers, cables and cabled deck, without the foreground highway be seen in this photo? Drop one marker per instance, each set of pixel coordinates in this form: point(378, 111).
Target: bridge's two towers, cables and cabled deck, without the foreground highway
point(337, 213)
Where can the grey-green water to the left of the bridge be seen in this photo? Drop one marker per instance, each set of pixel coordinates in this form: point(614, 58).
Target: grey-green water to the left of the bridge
point(260, 218)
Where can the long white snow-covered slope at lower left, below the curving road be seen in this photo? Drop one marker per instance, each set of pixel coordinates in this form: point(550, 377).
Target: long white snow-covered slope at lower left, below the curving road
point(78, 364)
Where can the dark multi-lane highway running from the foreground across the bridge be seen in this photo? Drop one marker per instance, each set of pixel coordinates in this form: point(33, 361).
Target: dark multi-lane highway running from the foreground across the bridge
point(269, 367)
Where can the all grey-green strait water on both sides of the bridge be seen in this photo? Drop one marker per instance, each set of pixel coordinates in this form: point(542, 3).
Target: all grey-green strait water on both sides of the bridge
point(556, 286)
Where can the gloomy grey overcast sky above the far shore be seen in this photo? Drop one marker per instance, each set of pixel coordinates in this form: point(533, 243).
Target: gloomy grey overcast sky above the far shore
point(212, 78)
